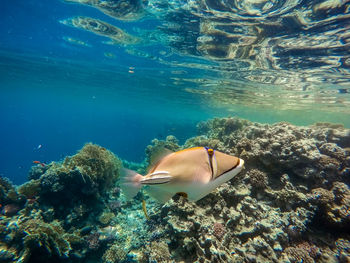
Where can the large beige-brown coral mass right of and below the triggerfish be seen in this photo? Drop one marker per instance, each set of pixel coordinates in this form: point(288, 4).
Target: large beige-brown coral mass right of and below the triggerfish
point(269, 212)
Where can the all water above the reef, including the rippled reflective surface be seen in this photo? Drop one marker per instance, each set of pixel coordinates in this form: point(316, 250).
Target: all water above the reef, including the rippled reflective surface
point(62, 86)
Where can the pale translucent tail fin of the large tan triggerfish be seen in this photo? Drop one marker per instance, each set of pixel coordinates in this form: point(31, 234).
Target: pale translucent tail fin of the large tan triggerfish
point(130, 182)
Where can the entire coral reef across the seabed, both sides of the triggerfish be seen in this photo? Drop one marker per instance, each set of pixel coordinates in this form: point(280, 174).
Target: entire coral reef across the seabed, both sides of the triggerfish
point(290, 204)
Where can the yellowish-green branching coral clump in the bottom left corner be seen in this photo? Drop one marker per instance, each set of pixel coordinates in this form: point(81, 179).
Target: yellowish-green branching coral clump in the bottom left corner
point(29, 238)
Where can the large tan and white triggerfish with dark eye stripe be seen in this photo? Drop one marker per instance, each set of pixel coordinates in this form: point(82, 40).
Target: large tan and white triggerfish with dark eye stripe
point(192, 173)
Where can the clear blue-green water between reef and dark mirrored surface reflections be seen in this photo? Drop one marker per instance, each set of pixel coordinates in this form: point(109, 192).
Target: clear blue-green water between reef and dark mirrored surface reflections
point(60, 94)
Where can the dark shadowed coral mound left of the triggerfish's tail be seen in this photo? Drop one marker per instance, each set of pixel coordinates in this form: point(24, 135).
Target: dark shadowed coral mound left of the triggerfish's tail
point(54, 215)
